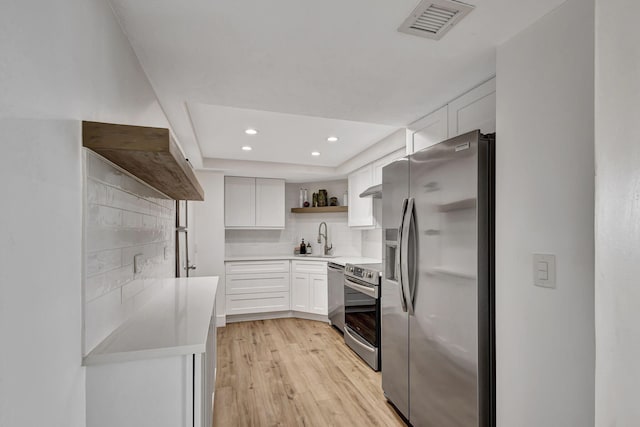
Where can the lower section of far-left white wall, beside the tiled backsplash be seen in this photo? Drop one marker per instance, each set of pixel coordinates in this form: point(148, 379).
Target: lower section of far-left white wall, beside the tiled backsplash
point(41, 381)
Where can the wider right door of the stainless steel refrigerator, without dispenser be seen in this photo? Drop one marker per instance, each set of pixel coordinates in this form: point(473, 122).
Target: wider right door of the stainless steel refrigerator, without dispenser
point(443, 367)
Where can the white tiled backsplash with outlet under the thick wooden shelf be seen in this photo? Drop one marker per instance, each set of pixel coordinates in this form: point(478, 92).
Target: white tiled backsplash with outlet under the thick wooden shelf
point(122, 218)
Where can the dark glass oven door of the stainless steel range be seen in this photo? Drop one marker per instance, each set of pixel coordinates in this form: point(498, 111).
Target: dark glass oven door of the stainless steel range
point(362, 310)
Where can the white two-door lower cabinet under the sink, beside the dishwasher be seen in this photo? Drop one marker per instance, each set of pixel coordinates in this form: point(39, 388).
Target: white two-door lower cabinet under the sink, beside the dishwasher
point(309, 290)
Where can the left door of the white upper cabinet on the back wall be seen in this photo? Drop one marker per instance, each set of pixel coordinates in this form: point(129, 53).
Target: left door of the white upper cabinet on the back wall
point(239, 202)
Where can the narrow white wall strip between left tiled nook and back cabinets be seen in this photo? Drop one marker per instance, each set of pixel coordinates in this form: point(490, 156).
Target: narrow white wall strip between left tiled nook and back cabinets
point(207, 231)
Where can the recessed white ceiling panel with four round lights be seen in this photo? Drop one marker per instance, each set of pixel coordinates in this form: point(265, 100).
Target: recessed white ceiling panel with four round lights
point(283, 138)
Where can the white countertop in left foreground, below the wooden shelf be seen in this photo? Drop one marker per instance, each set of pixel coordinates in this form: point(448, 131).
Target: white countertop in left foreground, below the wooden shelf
point(174, 322)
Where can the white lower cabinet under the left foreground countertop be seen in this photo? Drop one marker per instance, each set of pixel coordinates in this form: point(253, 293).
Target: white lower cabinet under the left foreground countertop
point(171, 391)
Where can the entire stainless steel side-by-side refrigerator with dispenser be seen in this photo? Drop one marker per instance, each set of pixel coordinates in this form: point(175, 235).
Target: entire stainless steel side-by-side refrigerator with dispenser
point(437, 305)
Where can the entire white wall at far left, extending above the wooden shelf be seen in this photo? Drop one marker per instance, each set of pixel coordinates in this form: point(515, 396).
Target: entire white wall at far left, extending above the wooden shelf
point(60, 60)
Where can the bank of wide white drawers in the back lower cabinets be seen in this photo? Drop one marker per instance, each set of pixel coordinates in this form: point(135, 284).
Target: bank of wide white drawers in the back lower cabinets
point(257, 287)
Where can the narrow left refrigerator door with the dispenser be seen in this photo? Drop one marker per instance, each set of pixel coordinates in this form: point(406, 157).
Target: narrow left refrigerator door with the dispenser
point(394, 318)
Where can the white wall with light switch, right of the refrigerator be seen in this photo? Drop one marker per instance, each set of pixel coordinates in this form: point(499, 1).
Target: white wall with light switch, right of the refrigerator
point(544, 191)
